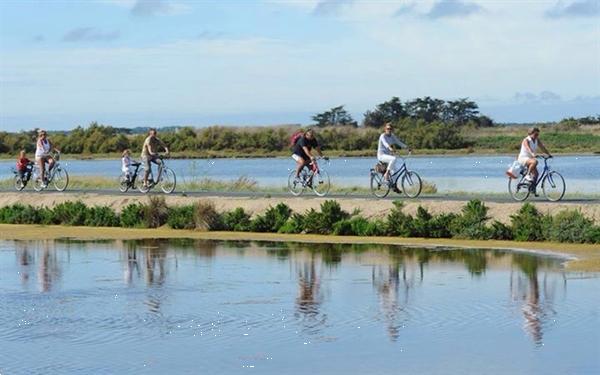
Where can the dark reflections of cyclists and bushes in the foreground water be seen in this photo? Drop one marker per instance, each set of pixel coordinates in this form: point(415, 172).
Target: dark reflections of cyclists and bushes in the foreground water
point(394, 274)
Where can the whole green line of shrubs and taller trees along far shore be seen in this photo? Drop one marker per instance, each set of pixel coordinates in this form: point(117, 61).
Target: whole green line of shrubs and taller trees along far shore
point(424, 123)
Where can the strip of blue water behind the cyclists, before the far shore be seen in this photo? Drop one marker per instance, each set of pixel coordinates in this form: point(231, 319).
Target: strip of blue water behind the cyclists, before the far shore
point(449, 173)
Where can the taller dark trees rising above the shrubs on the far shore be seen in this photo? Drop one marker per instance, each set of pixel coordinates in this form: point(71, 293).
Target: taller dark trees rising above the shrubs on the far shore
point(455, 112)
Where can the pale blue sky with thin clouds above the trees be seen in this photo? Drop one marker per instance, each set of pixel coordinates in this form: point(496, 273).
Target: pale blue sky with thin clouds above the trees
point(161, 63)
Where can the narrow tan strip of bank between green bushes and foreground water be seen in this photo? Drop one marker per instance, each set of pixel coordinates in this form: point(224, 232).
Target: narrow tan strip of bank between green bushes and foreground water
point(587, 256)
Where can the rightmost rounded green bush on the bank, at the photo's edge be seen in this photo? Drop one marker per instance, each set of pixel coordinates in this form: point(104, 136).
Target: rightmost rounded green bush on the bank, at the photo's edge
point(571, 226)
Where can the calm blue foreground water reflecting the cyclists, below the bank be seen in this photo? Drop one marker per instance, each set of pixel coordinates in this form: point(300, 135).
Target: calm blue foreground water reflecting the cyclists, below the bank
point(159, 307)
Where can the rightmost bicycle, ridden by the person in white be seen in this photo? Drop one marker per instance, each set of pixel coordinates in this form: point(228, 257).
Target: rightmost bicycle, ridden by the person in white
point(553, 184)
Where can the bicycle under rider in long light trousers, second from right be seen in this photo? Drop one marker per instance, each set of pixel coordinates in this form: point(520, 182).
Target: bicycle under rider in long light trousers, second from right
point(410, 181)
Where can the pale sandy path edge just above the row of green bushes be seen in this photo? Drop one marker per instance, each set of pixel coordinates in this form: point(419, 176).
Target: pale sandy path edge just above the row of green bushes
point(368, 207)
